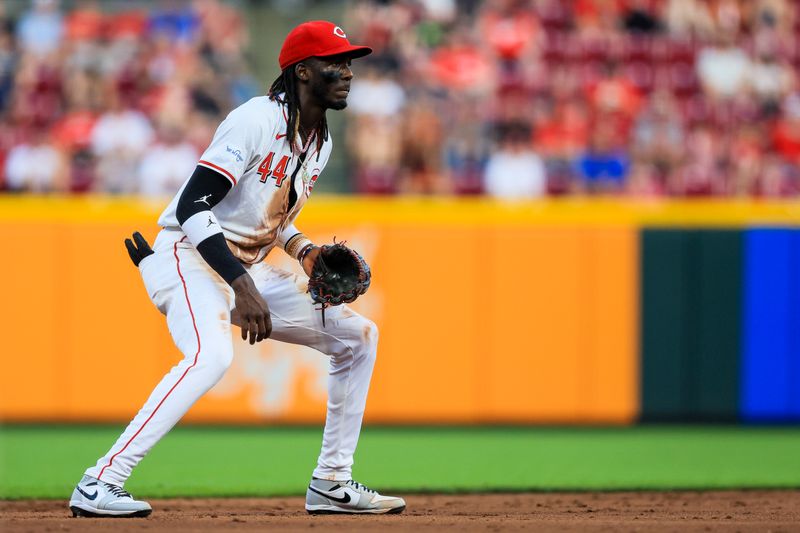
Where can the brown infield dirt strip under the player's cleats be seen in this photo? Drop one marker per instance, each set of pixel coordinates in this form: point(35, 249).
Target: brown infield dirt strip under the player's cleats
point(776, 511)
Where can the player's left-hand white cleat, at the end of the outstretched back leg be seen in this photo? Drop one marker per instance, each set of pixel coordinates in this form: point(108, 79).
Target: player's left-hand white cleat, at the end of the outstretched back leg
point(95, 498)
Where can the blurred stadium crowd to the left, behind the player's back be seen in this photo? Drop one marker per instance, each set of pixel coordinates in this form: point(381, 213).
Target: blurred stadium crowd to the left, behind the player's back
point(113, 98)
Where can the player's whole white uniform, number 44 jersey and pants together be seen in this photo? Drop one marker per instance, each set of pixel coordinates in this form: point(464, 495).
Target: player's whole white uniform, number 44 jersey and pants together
point(251, 150)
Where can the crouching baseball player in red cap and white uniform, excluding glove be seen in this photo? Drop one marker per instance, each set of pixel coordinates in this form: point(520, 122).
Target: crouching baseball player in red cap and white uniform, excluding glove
point(207, 265)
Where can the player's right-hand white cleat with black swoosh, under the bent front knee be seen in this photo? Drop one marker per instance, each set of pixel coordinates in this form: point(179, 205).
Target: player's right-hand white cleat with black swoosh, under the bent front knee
point(331, 497)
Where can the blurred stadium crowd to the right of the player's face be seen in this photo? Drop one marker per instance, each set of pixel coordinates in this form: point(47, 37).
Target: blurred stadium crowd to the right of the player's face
point(524, 98)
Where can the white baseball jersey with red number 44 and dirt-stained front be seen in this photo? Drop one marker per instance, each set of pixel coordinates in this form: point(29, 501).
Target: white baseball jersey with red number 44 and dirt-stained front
point(252, 150)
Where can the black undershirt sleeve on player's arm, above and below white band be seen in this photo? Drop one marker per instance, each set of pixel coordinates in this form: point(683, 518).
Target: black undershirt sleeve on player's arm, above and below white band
point(205, 189)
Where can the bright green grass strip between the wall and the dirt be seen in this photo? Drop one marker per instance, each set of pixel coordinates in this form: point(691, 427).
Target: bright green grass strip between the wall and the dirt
point(45, 462)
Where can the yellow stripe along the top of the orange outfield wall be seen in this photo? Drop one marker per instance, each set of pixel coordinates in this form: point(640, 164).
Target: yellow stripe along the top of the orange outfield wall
point(414, 210)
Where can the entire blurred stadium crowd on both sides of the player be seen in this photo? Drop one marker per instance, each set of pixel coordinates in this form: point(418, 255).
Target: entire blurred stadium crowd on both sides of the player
point(510, 98)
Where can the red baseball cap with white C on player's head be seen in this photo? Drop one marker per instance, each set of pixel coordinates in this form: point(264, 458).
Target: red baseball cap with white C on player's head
point(318, 38)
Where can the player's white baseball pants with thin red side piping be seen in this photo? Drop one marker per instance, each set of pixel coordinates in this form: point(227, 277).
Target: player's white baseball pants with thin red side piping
point(197, 303)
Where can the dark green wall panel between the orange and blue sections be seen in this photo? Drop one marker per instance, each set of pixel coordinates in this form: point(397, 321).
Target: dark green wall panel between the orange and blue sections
point(690, 323)
